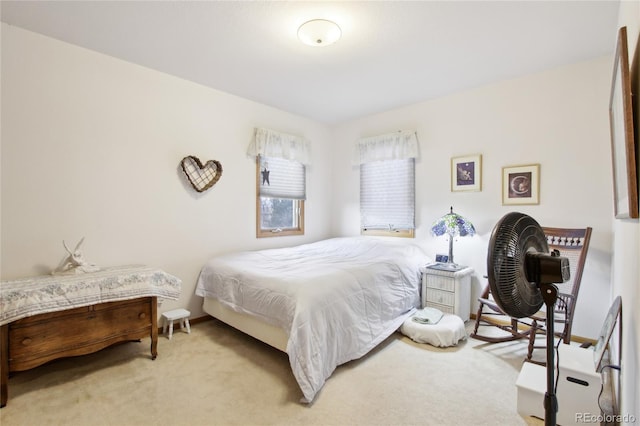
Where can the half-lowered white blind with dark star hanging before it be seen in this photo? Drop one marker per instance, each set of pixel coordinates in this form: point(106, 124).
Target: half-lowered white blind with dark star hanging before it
point(280, 178)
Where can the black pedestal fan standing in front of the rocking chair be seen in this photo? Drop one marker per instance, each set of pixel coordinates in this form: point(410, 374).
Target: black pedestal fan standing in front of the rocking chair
point(522, 274)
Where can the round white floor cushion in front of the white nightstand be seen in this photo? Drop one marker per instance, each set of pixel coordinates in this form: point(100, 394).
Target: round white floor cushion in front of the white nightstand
point(447, 332)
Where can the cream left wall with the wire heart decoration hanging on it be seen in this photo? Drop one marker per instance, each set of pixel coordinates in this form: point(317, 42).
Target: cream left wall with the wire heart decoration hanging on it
point(91, 147)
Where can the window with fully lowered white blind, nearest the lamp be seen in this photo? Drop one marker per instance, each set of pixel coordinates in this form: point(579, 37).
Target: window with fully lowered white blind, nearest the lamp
point(387, 197)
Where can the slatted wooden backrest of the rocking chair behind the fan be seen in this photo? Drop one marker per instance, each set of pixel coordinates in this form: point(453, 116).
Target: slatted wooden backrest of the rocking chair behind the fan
point(572, 244)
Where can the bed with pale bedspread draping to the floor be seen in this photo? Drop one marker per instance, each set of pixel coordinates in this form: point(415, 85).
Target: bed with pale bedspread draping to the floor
point(323, 303)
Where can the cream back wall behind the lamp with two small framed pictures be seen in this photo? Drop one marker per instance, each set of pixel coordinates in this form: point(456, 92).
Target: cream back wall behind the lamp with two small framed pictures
point(558, 119)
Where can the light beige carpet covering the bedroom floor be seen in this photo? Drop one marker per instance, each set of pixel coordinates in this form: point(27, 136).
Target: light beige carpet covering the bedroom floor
point(219, 376)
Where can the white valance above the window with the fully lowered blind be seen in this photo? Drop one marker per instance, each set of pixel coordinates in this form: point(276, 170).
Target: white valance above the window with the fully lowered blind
point(391, 146)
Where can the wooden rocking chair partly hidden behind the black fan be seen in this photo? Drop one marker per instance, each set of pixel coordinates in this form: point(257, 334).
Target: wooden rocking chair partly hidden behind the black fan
point(572, 244)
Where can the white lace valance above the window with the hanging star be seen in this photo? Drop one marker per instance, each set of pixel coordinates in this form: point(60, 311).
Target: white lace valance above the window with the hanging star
point(269, 143)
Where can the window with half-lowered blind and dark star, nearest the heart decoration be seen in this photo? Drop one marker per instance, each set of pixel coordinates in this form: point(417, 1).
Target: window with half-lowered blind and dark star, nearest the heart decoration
point(281, 192)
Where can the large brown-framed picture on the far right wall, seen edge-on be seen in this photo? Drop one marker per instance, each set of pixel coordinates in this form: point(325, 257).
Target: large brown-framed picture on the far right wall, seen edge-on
point(625, 184)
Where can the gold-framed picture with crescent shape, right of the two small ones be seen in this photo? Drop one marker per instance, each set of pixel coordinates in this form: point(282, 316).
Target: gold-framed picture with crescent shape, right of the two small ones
point(521, 184)
